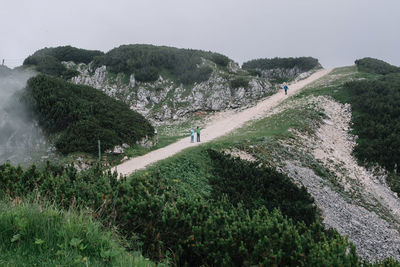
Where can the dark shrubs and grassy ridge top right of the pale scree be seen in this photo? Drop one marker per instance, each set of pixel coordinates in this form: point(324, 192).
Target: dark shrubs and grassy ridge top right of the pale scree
point(374, 99)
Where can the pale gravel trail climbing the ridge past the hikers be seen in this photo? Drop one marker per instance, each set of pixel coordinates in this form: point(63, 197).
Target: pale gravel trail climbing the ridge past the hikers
point(222, 124)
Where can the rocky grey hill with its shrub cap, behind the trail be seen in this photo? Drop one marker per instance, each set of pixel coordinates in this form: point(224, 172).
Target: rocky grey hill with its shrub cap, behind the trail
point(169, 84)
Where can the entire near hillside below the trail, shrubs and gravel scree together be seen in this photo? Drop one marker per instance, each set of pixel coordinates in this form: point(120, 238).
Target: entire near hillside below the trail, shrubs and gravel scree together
point(281, 190)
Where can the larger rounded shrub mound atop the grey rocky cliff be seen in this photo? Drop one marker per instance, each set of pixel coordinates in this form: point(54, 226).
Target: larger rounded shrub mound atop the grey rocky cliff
point(148, 61)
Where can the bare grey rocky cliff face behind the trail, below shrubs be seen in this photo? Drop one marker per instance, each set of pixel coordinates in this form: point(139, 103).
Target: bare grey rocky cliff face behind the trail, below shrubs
point(165, 100)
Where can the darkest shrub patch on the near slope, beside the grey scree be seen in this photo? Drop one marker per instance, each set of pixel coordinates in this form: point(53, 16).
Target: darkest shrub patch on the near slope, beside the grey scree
point(255, 187)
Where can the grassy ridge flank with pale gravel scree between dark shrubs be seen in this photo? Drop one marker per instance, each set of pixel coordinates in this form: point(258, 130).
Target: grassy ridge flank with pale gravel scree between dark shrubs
point(308, 139)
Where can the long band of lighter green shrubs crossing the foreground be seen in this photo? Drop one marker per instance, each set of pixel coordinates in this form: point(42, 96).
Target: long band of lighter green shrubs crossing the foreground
point(151, 211)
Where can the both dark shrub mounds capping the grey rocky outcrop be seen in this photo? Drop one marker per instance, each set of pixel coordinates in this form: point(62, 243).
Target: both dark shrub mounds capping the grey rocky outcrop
point(146, 61)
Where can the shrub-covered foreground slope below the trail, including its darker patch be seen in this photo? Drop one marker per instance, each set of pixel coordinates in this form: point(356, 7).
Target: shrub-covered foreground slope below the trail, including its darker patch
point(156, 212)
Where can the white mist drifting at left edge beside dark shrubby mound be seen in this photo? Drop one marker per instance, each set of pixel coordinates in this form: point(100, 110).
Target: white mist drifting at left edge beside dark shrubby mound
point(21, 139)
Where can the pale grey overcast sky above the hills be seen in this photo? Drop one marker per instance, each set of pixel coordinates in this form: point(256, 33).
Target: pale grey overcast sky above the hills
point(335, 31)
